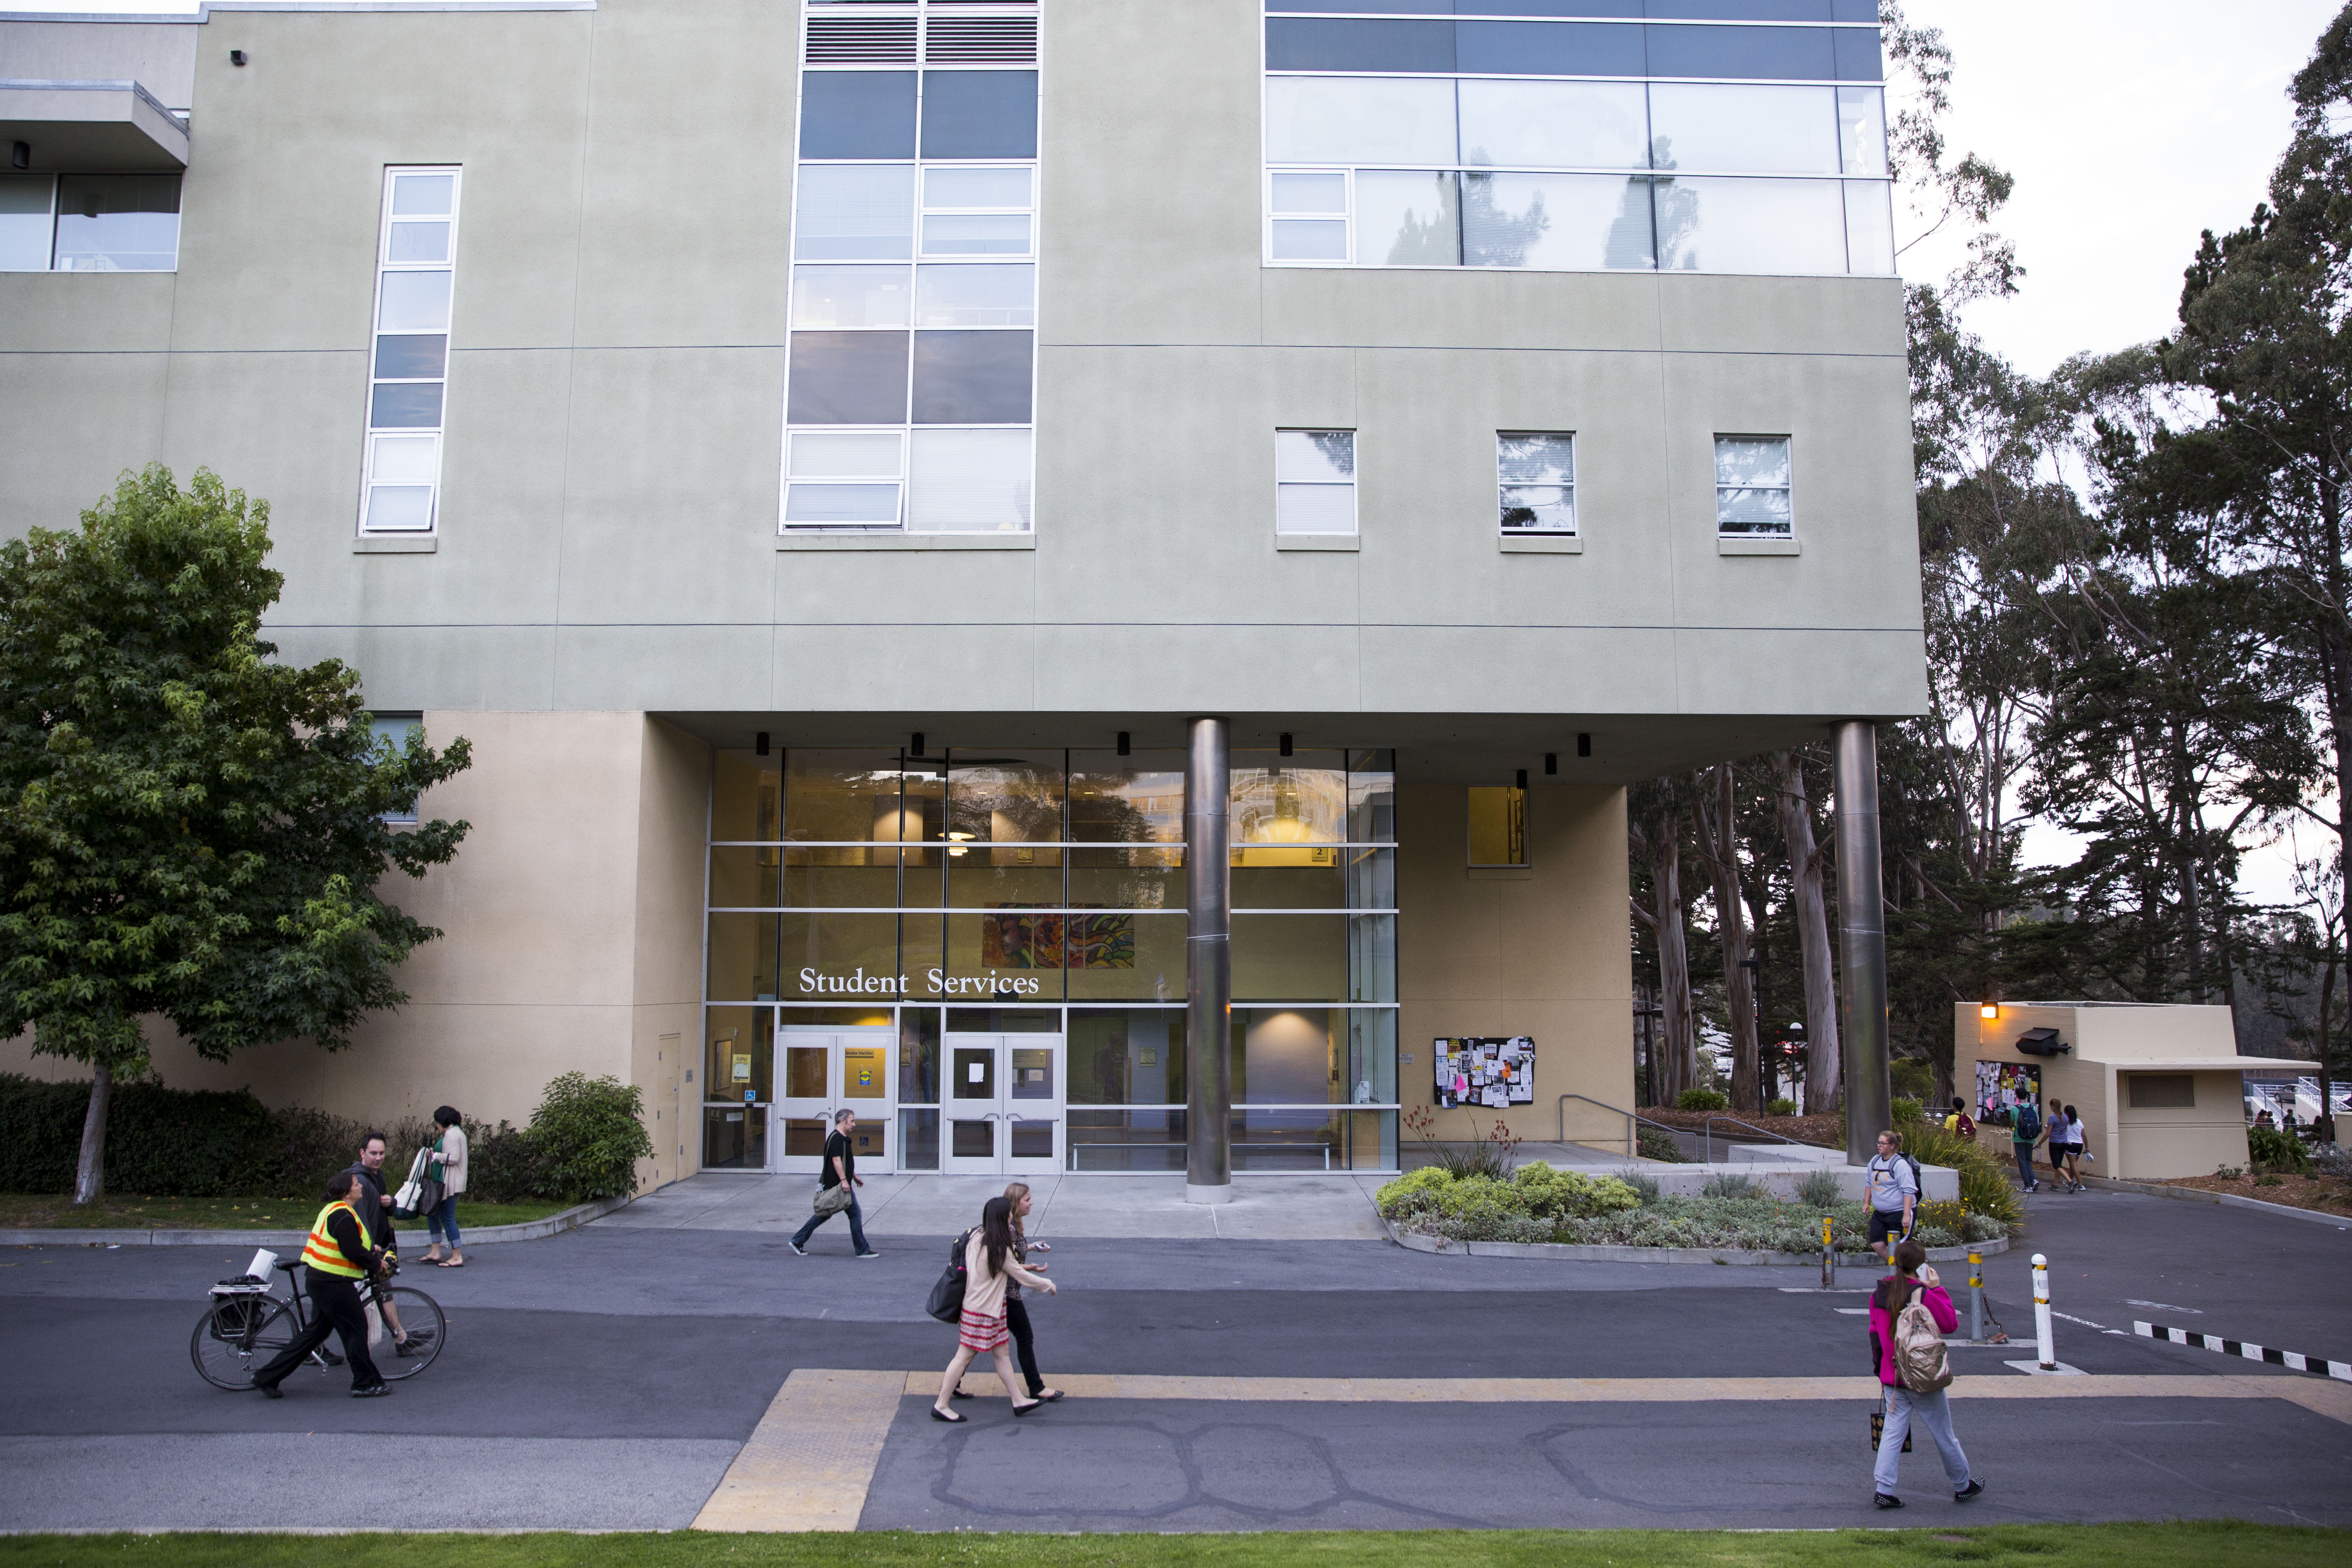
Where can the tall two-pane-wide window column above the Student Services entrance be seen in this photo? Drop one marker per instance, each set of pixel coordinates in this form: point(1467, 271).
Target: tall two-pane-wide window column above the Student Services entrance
point(911, 384)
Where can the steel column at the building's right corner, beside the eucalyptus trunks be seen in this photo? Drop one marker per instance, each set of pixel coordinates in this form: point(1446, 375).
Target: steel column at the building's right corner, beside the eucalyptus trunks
point(1862, 939)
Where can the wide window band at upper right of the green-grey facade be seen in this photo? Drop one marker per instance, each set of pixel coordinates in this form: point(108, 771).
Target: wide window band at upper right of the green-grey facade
point(1577, 145)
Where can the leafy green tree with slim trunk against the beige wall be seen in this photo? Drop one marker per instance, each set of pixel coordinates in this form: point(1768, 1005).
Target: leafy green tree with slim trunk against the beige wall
point(187, 829)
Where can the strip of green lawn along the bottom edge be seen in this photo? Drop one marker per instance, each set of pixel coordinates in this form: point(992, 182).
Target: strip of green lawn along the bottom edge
point(2104, 1546)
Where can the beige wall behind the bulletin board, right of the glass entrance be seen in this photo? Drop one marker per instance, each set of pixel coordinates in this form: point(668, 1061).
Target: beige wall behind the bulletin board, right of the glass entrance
point(1539, 951)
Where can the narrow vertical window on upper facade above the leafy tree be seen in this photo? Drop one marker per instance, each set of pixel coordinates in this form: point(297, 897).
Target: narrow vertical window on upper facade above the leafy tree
point(410, 354)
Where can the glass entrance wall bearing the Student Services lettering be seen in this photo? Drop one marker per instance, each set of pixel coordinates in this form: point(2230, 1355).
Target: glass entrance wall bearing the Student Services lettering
point(1041, 892)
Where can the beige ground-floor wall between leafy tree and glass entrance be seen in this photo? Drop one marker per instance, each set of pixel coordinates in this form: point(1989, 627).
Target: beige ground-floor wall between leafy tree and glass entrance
point(570, 939)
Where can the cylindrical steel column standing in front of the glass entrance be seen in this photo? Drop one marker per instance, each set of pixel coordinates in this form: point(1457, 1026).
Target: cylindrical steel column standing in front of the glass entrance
point(1208, 779)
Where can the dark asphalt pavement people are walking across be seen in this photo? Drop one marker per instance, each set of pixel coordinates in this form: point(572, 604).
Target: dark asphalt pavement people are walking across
point(608, 1379)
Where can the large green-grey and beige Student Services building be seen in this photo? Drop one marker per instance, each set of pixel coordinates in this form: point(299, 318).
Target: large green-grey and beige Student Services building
point(1078, 579)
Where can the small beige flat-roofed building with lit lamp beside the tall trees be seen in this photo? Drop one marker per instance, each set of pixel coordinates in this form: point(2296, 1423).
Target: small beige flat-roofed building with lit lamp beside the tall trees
point(2158, 1085)
